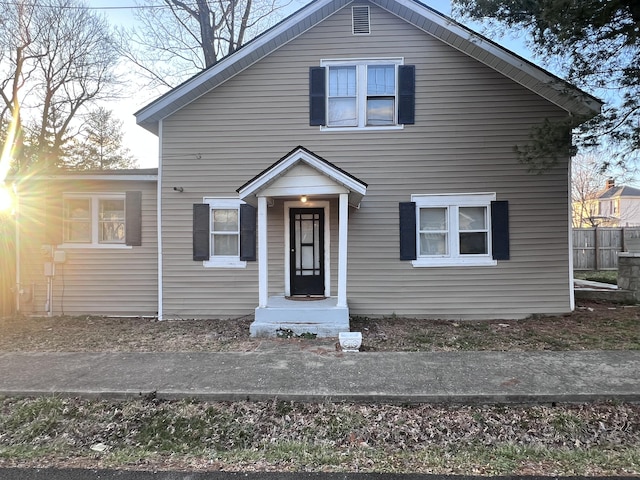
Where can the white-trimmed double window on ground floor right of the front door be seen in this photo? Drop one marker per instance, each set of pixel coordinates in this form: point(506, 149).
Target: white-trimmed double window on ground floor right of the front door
point(453, 229)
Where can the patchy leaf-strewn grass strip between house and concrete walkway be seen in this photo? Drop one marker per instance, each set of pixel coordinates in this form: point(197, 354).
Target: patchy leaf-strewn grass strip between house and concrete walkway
point(593, 326)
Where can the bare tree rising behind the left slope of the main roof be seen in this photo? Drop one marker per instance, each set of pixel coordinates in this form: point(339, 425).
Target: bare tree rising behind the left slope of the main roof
point(179, 39)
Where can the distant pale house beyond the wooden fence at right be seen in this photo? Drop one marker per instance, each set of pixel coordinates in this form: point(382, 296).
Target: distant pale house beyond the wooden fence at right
point(614, 206)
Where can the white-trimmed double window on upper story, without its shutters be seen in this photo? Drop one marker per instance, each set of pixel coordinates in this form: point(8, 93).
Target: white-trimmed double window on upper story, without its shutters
point(362, 93)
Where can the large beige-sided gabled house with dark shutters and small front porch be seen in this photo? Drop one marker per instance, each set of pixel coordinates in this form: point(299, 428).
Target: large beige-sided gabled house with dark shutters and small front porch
point(355, 159)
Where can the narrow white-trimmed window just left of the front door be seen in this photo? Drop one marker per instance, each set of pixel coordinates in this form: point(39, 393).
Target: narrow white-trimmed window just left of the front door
point(224, 233)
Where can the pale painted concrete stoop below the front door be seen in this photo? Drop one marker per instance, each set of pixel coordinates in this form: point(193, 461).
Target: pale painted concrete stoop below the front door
point(321, 317)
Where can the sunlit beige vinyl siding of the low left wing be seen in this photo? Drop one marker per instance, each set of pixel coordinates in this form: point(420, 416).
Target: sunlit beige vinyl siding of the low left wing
point(98, 281)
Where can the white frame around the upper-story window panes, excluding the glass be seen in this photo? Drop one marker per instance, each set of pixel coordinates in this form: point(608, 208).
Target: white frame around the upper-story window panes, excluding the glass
point(361, 65)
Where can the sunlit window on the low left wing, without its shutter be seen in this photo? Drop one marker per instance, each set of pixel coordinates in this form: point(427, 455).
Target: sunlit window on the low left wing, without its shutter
point(94, 219)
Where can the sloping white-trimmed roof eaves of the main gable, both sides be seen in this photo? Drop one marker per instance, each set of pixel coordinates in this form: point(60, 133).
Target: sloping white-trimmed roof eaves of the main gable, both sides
point(432, 22)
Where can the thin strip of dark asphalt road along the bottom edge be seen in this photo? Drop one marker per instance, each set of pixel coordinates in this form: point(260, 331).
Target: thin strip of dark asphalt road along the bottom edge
point(76, 474)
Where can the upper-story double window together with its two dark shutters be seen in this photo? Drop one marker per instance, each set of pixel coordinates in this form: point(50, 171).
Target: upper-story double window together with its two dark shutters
point(362, 94)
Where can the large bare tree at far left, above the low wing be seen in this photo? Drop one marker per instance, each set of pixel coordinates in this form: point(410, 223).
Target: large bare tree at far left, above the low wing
point(56, 60)
